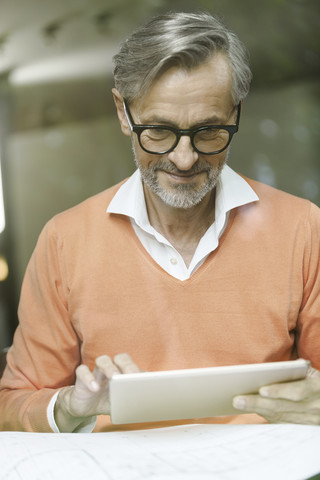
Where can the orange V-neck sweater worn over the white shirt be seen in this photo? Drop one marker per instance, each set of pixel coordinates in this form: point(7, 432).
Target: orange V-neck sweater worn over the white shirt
point(92, 289)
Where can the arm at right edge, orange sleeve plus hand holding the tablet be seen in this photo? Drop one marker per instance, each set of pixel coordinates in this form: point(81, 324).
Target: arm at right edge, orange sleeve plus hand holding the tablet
point(299, 401)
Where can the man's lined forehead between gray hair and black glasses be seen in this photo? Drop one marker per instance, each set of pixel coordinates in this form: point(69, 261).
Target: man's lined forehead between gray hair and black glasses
point(179, 94)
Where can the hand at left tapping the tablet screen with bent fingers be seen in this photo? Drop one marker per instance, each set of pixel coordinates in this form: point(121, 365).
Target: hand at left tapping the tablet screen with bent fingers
point(90, 395)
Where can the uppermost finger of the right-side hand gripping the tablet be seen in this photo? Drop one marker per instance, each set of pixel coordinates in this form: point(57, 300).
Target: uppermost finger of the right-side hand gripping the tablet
point(296, 391)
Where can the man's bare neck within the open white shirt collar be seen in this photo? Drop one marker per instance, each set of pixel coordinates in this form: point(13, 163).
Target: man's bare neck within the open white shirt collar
point(183, 228)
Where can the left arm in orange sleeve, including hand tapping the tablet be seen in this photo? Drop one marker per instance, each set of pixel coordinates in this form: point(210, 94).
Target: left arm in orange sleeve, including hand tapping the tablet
point(45, 357)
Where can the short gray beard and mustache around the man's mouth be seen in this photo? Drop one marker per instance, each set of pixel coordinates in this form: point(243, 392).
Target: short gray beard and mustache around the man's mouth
point(182, 196)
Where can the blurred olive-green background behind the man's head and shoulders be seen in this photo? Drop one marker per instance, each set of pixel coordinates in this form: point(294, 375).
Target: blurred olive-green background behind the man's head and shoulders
point(59, 136)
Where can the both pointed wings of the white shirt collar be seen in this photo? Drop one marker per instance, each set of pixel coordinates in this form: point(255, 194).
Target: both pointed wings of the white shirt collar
point(232, 191)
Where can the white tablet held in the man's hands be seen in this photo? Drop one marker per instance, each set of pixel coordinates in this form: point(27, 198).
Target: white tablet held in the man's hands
point(193, 393)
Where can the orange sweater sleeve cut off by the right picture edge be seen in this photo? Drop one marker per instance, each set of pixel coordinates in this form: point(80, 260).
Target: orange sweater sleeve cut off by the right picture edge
point(308, 326)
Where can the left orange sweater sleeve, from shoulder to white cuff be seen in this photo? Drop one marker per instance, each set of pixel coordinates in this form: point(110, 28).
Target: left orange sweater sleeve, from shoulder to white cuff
point(45, 350)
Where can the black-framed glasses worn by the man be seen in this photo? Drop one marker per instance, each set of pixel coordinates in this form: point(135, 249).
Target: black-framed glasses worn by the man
point(161, 139)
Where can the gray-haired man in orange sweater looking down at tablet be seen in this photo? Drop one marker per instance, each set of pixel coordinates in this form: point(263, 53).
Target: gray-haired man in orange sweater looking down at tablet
point(185, 264)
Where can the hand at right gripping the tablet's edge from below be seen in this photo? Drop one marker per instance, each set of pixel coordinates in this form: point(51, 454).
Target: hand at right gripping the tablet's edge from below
point(292, 402)
